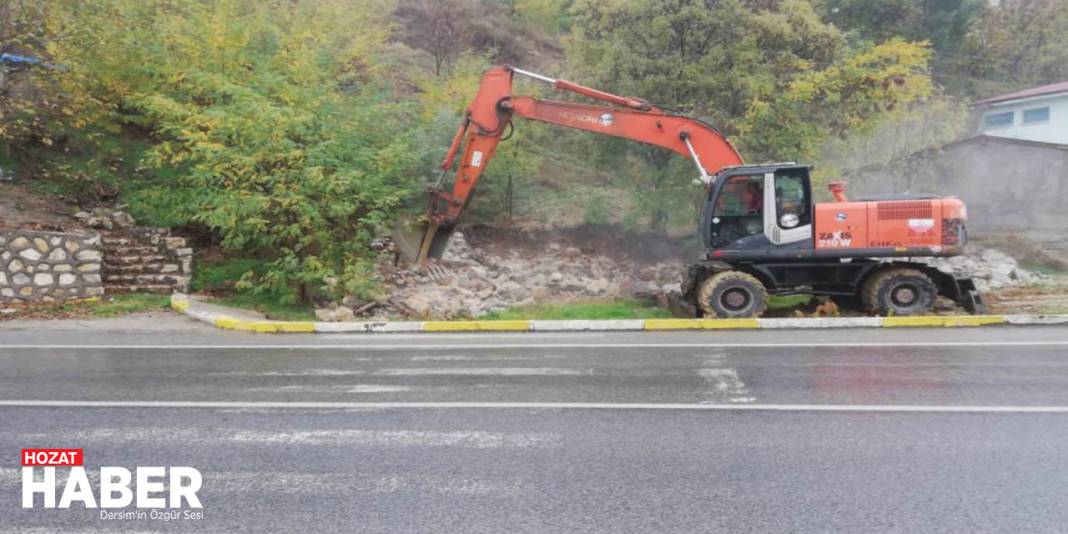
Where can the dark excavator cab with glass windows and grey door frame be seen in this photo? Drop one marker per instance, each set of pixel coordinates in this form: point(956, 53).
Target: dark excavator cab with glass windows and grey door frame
point(756, 208)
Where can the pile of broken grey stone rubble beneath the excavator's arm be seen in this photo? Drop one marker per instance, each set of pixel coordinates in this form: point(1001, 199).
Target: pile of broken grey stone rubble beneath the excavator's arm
point(472, 282)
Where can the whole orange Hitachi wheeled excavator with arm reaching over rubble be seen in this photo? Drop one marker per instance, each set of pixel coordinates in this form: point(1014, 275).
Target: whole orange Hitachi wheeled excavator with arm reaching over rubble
point(763, 233)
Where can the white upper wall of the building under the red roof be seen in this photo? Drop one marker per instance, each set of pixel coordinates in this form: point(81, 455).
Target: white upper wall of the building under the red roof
point(1055, 131)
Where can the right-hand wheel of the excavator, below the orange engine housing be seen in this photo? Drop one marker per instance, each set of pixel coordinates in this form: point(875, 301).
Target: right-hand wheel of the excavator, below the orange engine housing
point(900, 291)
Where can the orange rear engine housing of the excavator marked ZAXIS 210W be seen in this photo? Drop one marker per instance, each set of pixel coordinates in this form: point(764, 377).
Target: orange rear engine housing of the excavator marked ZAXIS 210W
point(936, 226)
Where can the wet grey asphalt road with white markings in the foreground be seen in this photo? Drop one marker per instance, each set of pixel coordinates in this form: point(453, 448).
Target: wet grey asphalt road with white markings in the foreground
point(768, 432)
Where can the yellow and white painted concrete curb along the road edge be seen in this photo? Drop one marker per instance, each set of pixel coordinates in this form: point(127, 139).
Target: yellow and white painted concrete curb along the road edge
point(184, 305)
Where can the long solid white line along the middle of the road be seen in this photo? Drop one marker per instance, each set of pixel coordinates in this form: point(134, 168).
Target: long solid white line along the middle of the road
point(542, 406)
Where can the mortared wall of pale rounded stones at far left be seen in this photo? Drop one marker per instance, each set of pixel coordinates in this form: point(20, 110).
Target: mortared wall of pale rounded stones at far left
point(50, 266)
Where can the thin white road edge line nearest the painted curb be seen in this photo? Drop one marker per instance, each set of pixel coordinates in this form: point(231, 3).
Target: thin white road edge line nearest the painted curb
point(552, 345)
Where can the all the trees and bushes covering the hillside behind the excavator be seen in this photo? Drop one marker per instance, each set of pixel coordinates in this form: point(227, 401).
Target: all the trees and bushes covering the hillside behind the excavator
point(293, 133)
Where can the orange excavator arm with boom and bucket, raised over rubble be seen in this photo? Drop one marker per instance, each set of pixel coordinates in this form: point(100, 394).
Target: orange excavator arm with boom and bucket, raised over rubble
point(494, 107)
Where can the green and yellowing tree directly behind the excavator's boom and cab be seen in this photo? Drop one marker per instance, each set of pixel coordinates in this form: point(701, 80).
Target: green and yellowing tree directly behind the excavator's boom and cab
point(769, 74)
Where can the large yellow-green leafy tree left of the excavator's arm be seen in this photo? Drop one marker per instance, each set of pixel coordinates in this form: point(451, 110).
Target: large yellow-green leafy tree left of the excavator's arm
point(272, 112)
